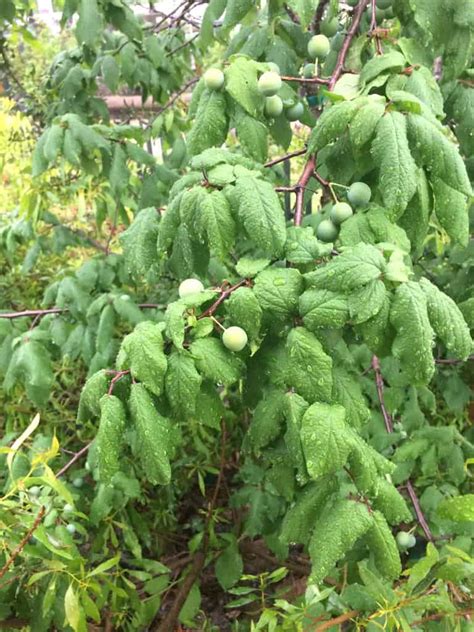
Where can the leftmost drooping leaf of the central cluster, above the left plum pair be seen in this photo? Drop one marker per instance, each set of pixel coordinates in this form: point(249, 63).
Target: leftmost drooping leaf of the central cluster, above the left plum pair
point(139, 242)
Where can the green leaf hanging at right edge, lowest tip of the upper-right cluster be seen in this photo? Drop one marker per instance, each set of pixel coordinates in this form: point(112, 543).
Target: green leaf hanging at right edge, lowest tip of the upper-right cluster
point(451, 208)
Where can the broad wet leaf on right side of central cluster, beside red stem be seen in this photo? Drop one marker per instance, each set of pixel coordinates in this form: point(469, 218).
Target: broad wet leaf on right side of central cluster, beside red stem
point(261, 213)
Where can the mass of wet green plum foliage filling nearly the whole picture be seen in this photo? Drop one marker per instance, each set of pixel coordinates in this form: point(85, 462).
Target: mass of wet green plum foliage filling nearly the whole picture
point(342, 417)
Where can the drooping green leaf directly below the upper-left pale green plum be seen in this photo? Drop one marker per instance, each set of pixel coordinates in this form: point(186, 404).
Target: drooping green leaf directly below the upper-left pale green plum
point(210, 124)
